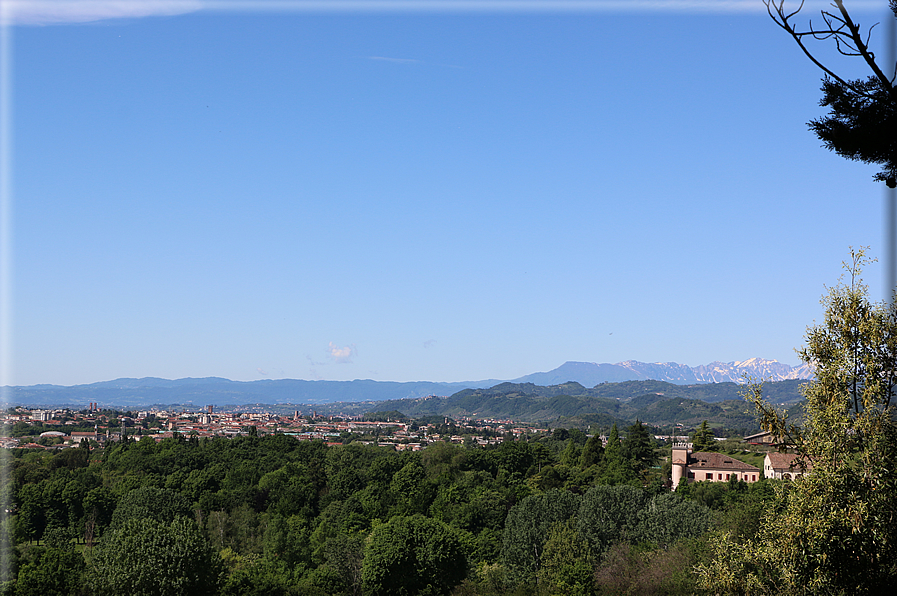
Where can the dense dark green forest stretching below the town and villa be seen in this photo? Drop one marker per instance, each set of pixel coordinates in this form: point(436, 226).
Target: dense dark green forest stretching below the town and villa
point(274, 515)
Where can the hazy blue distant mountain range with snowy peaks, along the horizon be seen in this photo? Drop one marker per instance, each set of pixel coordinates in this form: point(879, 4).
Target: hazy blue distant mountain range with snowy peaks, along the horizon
point(223, 392)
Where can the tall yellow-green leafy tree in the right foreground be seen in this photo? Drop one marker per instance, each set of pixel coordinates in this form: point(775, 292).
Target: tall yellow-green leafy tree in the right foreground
point(834, 529)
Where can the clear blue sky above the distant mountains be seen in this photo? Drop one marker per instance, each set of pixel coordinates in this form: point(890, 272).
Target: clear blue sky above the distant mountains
point(416, 191)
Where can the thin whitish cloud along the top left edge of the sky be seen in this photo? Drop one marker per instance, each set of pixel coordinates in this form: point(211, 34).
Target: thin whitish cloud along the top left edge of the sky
point(52, 12)
